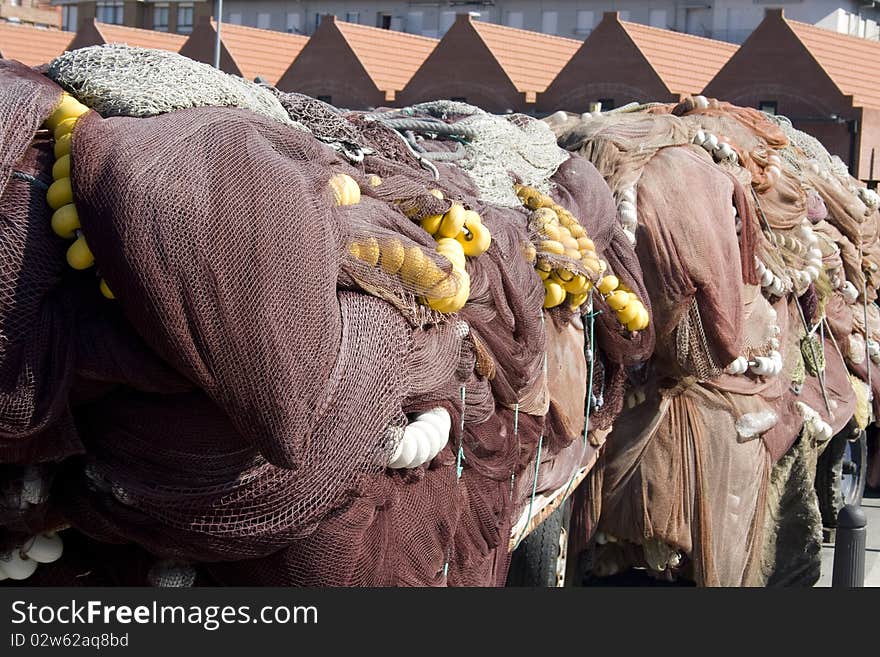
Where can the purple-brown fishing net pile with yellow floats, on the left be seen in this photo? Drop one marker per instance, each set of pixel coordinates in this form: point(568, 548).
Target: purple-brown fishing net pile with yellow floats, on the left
point(240, 347)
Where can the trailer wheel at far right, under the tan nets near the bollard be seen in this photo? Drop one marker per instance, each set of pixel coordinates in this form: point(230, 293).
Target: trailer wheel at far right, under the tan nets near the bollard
point(841, 474)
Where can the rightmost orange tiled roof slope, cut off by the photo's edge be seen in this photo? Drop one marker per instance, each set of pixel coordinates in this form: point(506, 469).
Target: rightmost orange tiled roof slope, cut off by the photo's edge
point(851, 62)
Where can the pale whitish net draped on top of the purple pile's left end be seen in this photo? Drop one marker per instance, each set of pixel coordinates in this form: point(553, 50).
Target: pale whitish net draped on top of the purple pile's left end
point(120, 80)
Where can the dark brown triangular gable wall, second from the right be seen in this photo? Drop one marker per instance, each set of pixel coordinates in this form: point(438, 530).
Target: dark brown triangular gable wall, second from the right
point(607, 66)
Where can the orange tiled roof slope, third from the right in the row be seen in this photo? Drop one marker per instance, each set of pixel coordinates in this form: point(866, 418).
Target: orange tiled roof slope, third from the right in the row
point(530, 59)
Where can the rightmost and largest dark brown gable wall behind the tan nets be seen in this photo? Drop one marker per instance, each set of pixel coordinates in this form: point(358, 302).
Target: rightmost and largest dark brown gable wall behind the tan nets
point(773, 66)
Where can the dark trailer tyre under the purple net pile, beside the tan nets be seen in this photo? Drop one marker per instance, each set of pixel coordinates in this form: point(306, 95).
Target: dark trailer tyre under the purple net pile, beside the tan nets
point(541, 558)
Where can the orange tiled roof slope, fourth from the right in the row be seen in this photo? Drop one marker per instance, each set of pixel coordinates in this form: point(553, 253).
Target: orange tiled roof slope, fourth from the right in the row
point(390, 58)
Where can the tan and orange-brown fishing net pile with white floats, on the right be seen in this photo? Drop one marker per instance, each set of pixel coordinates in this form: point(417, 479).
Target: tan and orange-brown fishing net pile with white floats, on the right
point(761, 257)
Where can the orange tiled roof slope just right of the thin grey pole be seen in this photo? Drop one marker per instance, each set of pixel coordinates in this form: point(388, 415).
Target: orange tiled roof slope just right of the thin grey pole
point(267, 53)
